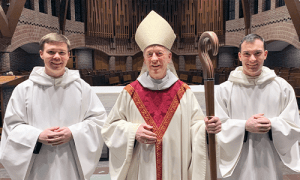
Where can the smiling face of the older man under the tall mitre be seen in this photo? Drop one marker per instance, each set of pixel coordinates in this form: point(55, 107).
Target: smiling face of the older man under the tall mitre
point(157, 58)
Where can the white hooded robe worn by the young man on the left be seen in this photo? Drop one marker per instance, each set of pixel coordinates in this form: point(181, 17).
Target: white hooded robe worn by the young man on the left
point(42, 102)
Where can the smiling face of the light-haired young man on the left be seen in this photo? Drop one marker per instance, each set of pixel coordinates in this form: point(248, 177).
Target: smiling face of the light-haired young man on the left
point(55, 56)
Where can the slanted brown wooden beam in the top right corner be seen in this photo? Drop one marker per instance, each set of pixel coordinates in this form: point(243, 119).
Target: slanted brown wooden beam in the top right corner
point(293, 7)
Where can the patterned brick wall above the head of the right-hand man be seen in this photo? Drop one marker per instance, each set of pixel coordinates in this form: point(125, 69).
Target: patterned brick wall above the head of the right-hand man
point(274, 24)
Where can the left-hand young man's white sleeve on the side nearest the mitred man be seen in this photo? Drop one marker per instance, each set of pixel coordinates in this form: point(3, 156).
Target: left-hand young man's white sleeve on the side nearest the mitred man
point(87, 133)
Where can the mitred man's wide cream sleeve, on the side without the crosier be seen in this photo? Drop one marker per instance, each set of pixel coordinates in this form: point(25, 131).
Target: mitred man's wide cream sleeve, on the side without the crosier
point(119, 135)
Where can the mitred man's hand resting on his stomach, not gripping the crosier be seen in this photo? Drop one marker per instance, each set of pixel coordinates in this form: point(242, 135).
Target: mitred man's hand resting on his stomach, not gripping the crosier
point(145, 135)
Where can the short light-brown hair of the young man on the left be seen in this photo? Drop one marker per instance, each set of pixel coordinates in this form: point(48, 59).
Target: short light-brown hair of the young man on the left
point(54, 37)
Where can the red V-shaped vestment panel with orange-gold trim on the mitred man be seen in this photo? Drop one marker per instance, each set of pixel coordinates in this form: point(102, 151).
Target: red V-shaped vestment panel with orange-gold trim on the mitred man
point(157, 108)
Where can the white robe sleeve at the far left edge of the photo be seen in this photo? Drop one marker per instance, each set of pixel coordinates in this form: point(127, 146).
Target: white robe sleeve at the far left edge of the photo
point(18, 138)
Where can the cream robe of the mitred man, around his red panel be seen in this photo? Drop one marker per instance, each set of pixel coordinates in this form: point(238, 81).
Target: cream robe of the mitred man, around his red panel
point(184, 155)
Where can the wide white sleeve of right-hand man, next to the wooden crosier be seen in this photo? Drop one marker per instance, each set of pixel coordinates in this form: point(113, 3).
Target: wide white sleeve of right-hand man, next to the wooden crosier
point(230, 143)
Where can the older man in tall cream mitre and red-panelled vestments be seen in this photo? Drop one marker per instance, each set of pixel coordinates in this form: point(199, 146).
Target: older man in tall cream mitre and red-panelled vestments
point(156, 128)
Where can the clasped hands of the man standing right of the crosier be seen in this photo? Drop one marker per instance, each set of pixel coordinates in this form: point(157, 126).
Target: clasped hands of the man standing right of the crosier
point(258, 124)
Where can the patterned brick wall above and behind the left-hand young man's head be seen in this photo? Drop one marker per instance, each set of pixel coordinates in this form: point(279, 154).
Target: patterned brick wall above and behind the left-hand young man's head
point(33, 25)
